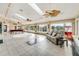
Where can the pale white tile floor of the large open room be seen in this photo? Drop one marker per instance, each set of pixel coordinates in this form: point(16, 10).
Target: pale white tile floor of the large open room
point(15, 45)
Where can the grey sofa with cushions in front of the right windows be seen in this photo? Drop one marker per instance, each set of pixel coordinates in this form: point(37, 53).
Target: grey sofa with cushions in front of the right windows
point(55, 37)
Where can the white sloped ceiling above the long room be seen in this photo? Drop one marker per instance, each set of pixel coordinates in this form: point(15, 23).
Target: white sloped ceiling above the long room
point(22, 11)
